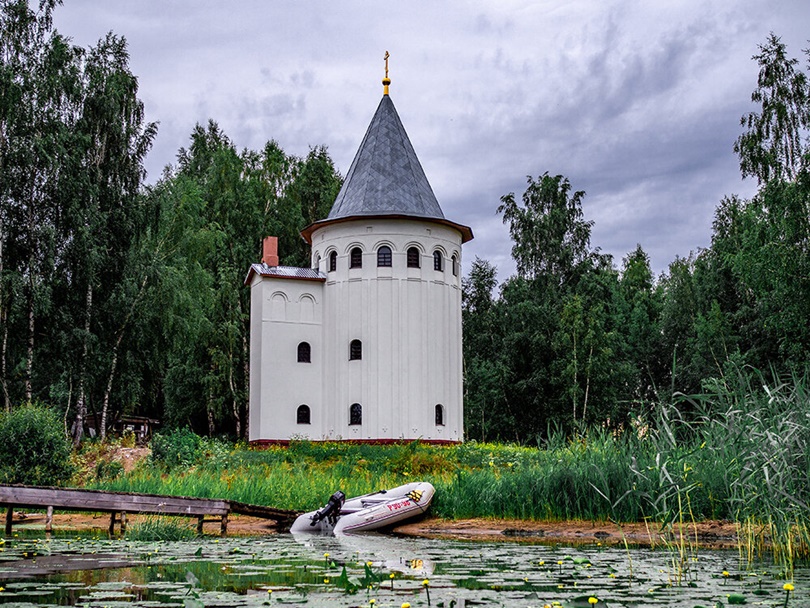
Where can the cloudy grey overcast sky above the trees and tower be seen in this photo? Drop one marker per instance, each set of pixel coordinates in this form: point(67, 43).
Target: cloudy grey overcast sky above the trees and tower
point(637, 103)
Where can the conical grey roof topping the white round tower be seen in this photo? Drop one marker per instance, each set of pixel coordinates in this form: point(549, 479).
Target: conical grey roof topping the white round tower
point(385, 177)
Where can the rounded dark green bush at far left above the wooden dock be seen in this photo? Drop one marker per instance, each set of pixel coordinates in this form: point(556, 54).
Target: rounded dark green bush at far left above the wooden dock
point(33, 447)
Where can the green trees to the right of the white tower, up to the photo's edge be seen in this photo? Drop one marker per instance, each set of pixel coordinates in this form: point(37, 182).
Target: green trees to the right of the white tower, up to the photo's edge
point(572, 341)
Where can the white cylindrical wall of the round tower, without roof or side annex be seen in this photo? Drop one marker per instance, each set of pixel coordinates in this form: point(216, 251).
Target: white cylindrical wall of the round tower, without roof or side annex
point(409, 323)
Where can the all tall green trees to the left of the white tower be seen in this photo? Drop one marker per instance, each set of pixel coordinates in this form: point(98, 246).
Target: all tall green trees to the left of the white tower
point(116, 297)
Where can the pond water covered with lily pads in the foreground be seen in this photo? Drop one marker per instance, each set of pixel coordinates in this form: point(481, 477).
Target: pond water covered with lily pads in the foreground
point(376, 571)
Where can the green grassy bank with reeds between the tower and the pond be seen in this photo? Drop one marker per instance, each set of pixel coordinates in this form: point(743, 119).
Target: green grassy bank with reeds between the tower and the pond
point(748, 462)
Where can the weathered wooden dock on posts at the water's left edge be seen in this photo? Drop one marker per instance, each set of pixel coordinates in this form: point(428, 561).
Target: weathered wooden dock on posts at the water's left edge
point(119, 504)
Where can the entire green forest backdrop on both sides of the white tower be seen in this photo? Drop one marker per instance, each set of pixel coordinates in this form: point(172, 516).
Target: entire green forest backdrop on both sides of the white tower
point(118, 297)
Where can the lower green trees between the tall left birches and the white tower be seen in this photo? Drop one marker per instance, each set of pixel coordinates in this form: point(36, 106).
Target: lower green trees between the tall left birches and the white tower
point(213, 211)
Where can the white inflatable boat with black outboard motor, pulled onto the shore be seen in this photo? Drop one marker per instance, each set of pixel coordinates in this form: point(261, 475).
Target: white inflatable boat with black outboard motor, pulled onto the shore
point(368, 512)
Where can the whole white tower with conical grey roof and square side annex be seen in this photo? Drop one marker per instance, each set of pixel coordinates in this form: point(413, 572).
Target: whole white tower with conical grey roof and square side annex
point(366, 345)
